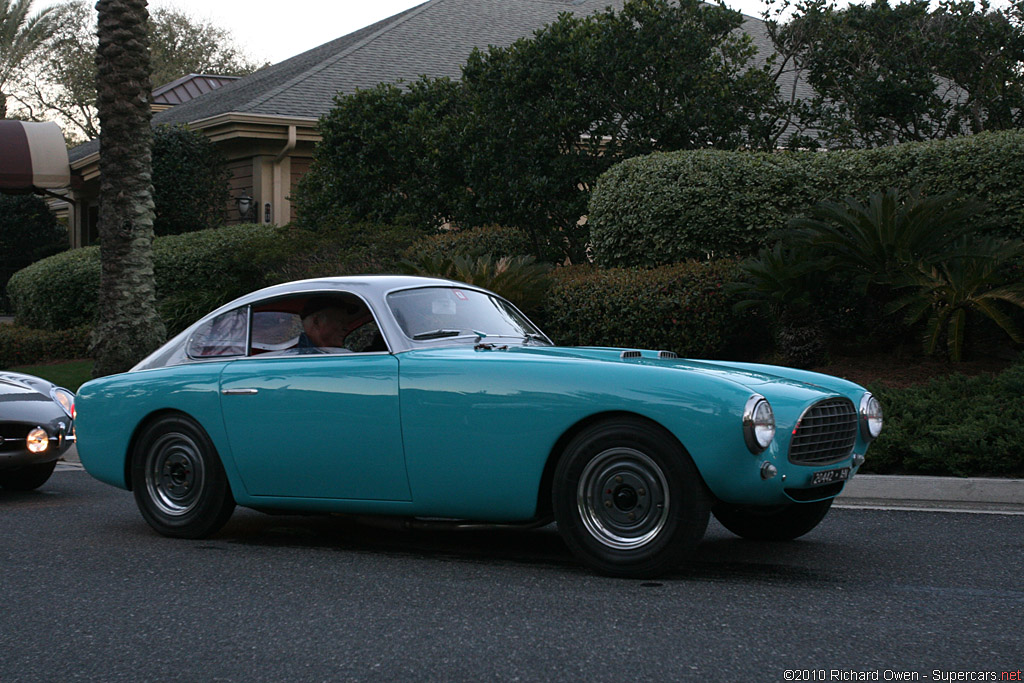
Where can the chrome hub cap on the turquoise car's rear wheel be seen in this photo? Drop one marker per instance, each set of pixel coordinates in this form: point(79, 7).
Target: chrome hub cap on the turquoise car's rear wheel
point(175, 474)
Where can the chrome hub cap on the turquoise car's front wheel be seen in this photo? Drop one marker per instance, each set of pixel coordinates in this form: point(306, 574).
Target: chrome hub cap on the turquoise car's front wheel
point(623, 499)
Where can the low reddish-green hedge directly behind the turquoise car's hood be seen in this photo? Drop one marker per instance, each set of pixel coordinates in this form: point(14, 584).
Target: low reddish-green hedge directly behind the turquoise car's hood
point(682, 308)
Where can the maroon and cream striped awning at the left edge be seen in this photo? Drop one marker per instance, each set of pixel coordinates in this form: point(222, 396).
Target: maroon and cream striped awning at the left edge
point(33, 156)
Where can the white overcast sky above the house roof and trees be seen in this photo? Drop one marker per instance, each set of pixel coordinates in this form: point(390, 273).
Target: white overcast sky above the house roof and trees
point(272, 30)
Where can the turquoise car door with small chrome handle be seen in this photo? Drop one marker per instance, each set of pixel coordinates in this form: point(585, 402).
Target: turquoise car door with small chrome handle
point(320, 425)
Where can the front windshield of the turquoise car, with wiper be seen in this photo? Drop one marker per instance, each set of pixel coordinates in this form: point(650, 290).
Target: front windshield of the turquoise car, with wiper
point(449, 313)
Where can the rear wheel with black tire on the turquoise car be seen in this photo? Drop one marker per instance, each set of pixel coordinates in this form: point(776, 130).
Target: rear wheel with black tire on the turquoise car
point(180, 484)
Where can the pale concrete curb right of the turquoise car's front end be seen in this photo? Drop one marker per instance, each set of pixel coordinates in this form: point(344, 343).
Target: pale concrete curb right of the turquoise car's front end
point(934, 493)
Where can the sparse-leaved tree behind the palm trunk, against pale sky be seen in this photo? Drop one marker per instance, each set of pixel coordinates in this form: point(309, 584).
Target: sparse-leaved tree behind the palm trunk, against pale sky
point(62, 87)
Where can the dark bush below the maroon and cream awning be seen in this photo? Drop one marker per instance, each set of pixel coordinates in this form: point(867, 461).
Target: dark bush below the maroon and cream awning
point(29, 232)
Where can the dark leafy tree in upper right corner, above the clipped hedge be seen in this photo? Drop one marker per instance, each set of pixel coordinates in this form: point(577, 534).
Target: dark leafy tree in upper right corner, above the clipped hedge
point(906, 72)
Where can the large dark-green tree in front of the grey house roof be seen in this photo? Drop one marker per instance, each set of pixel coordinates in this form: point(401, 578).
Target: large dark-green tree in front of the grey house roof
point(523, 138)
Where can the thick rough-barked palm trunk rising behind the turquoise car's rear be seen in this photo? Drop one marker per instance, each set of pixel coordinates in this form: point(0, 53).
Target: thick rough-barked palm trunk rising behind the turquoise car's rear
point(129, 326)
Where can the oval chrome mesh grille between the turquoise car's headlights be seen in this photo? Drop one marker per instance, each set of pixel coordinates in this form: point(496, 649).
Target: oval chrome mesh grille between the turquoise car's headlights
point(826, 434)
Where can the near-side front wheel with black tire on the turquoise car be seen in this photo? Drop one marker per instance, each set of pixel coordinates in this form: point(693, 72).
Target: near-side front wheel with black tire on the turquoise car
point(628, 499)
